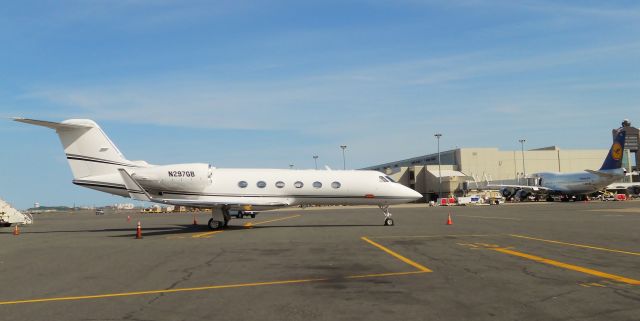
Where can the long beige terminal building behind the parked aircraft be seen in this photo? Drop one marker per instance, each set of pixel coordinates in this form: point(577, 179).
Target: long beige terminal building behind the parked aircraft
point(465, 169)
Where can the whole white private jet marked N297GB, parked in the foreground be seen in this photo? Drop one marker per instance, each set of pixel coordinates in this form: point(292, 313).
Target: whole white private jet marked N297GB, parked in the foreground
point(97, 163)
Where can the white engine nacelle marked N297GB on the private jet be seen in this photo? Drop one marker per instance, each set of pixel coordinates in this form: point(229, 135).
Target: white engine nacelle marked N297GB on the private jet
point(181, 177)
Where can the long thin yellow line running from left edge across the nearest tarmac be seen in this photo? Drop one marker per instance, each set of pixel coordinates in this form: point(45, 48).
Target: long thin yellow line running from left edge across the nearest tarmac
point(202, 288)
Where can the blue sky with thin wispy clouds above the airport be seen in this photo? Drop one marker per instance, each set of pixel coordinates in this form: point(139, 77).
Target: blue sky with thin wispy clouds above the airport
point(272, 83)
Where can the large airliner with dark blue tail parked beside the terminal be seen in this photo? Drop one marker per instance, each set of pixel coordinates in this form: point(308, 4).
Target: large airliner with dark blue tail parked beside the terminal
point(578, 184)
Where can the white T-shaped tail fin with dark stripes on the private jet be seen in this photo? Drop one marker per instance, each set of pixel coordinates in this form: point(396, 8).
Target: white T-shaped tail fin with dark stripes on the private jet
point(89, 151)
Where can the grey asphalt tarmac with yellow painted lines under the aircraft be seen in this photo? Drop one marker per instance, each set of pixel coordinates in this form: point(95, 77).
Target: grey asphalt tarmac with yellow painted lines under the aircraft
point(560, 261)
